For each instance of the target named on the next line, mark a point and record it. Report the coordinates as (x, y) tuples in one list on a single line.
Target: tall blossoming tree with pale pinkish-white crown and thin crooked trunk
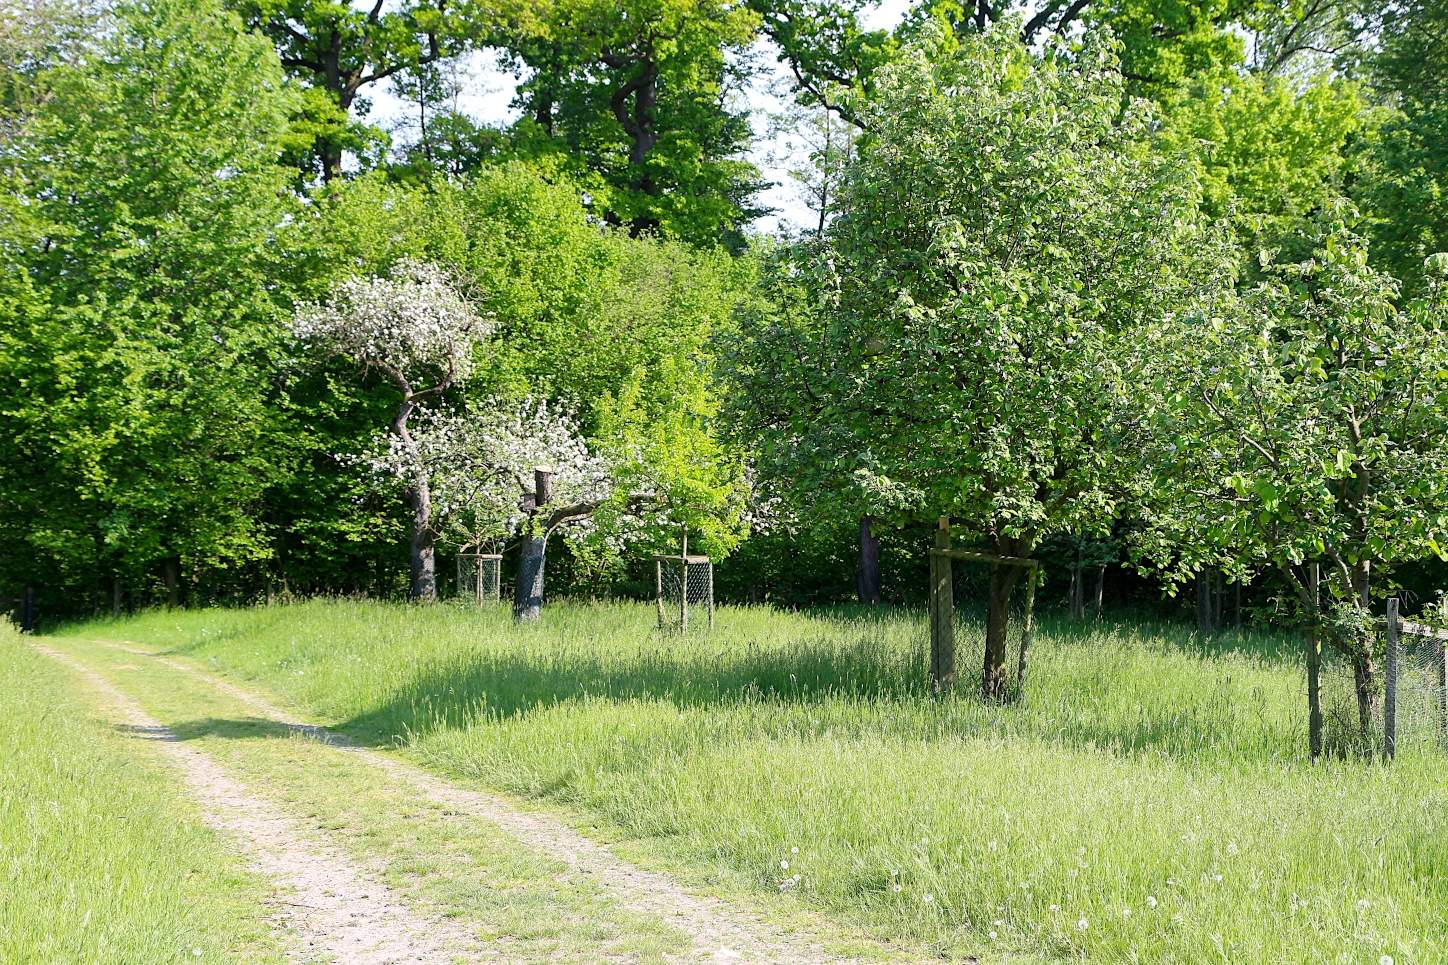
[(416, 330)]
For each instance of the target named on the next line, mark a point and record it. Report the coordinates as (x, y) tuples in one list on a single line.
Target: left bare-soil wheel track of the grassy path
[(341, 912)]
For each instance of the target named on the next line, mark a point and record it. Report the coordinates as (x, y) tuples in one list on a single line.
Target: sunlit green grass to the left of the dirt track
[(102, 860)]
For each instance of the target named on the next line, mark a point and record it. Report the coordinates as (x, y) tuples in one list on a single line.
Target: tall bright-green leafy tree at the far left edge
[(140, 273)]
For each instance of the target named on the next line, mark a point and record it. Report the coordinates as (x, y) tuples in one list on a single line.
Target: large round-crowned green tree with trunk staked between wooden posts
[(1003, 235)]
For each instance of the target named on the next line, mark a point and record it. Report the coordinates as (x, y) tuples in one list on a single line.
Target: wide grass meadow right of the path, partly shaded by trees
[(1149, 788)]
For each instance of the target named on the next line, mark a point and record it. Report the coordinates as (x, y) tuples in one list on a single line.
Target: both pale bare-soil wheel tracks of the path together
[(347, 912)]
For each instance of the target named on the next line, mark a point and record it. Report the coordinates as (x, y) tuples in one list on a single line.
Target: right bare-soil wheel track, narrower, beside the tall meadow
[(717, 931)]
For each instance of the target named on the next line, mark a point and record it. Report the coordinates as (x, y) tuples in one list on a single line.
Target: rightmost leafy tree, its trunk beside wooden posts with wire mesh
[(1305, 422)]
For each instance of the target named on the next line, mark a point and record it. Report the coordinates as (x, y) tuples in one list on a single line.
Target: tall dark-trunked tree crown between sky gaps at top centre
[(641, 95)]
